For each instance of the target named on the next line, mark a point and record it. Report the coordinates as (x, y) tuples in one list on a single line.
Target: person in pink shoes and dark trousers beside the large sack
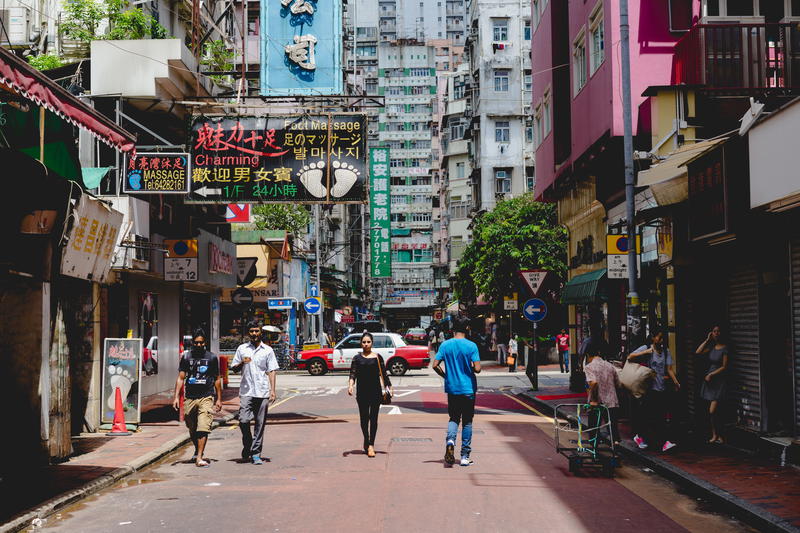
[(650, 411)]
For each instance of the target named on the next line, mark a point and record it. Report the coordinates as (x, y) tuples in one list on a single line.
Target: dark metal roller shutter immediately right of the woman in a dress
[(744, 381)]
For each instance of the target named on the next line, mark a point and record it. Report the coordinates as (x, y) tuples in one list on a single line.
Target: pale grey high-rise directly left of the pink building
[(499, 45)]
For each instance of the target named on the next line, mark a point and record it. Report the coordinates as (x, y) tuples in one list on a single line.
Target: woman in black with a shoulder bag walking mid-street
[(364, 370)]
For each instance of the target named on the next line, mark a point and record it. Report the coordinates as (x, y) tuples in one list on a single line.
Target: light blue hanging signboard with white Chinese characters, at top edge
[(301, 47)]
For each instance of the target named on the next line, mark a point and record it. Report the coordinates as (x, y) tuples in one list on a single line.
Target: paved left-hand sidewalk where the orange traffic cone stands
[(98, 462)]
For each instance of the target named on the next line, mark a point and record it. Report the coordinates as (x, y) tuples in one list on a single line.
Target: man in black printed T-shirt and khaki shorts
[(199, 370)]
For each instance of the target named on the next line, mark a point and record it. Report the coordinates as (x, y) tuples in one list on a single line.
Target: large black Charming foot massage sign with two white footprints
[(299, 159)]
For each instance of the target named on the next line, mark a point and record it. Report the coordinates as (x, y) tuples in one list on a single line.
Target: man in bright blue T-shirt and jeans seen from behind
[(461, 363)]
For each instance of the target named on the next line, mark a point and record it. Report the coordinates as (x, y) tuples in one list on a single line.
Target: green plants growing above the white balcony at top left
[(83, 17)]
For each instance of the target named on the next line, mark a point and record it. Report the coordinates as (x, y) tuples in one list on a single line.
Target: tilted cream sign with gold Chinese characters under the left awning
[(92, 239)]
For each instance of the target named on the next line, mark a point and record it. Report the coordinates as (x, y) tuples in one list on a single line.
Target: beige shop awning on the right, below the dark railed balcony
[(668, 180)]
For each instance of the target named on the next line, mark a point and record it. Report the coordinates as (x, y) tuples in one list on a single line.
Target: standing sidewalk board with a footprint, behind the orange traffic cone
[(121, 365)]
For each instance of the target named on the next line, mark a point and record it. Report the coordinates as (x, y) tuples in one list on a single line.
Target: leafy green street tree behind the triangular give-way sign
[(520, 233)]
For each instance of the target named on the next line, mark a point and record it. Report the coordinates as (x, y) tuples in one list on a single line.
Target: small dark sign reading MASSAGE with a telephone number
[(156, 173)]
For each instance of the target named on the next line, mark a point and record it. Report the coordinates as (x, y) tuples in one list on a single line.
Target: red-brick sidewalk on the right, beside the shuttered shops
[(758, 492)]
